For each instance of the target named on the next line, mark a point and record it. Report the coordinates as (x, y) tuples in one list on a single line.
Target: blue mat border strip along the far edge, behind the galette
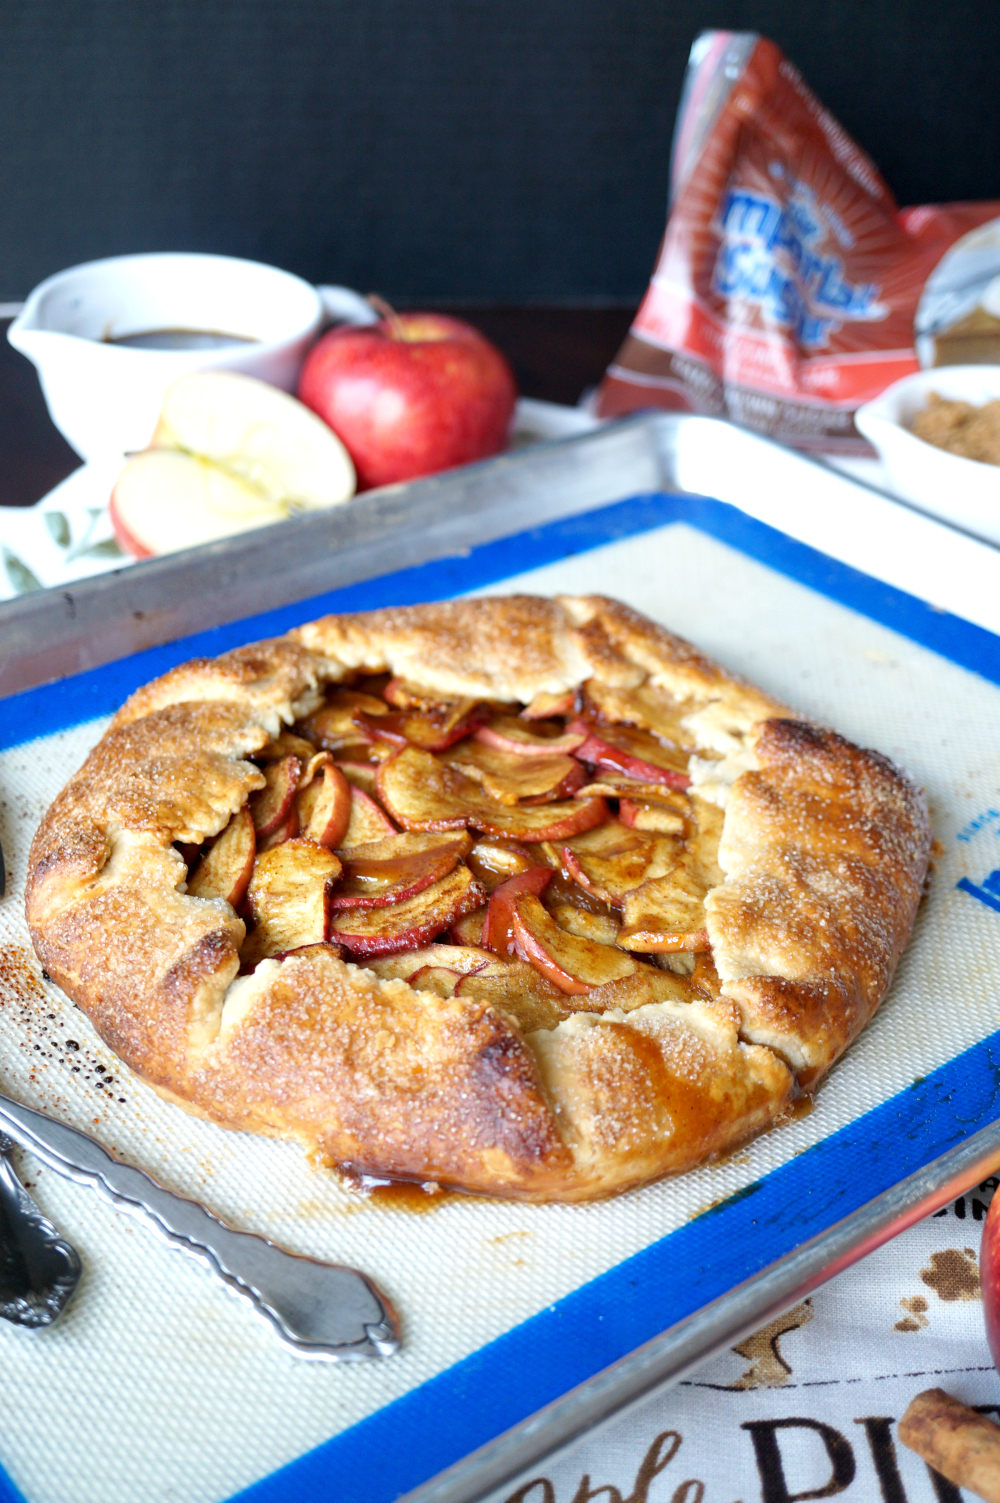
[(98, 692)]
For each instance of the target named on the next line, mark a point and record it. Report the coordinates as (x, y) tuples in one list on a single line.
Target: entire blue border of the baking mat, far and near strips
[(417, 1436)]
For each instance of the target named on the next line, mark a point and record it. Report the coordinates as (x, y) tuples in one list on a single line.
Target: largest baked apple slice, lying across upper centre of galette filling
[(425, 794)]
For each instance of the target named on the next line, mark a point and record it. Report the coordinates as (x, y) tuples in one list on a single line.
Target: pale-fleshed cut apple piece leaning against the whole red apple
[(261, 435)]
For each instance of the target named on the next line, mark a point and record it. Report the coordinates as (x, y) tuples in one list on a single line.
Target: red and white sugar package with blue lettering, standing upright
[(790, 289)]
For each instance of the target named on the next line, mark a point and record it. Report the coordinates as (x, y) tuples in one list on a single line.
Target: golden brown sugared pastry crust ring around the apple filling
[(825, 853)]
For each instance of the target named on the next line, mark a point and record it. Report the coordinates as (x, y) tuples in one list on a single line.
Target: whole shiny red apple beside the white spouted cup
[(410, 396)]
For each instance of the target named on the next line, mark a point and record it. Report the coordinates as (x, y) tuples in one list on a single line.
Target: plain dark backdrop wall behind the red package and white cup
[(438, 151)]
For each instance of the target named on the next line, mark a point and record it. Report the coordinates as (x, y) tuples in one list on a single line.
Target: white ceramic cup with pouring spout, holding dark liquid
[(106, 398)]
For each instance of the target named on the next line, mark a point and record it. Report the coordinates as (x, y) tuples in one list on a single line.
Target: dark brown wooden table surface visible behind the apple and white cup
[(557, 354)]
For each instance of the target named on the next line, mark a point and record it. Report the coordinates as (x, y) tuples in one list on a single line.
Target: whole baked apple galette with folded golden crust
[(521, 897)]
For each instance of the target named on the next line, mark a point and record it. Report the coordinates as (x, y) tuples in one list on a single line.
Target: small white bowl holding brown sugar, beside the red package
[(960, 491)]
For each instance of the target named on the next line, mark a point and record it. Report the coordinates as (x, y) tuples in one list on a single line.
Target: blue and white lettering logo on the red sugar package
[(771, 258)]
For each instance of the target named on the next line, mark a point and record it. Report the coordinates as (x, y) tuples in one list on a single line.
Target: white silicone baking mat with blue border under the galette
[(159, 1385)]
